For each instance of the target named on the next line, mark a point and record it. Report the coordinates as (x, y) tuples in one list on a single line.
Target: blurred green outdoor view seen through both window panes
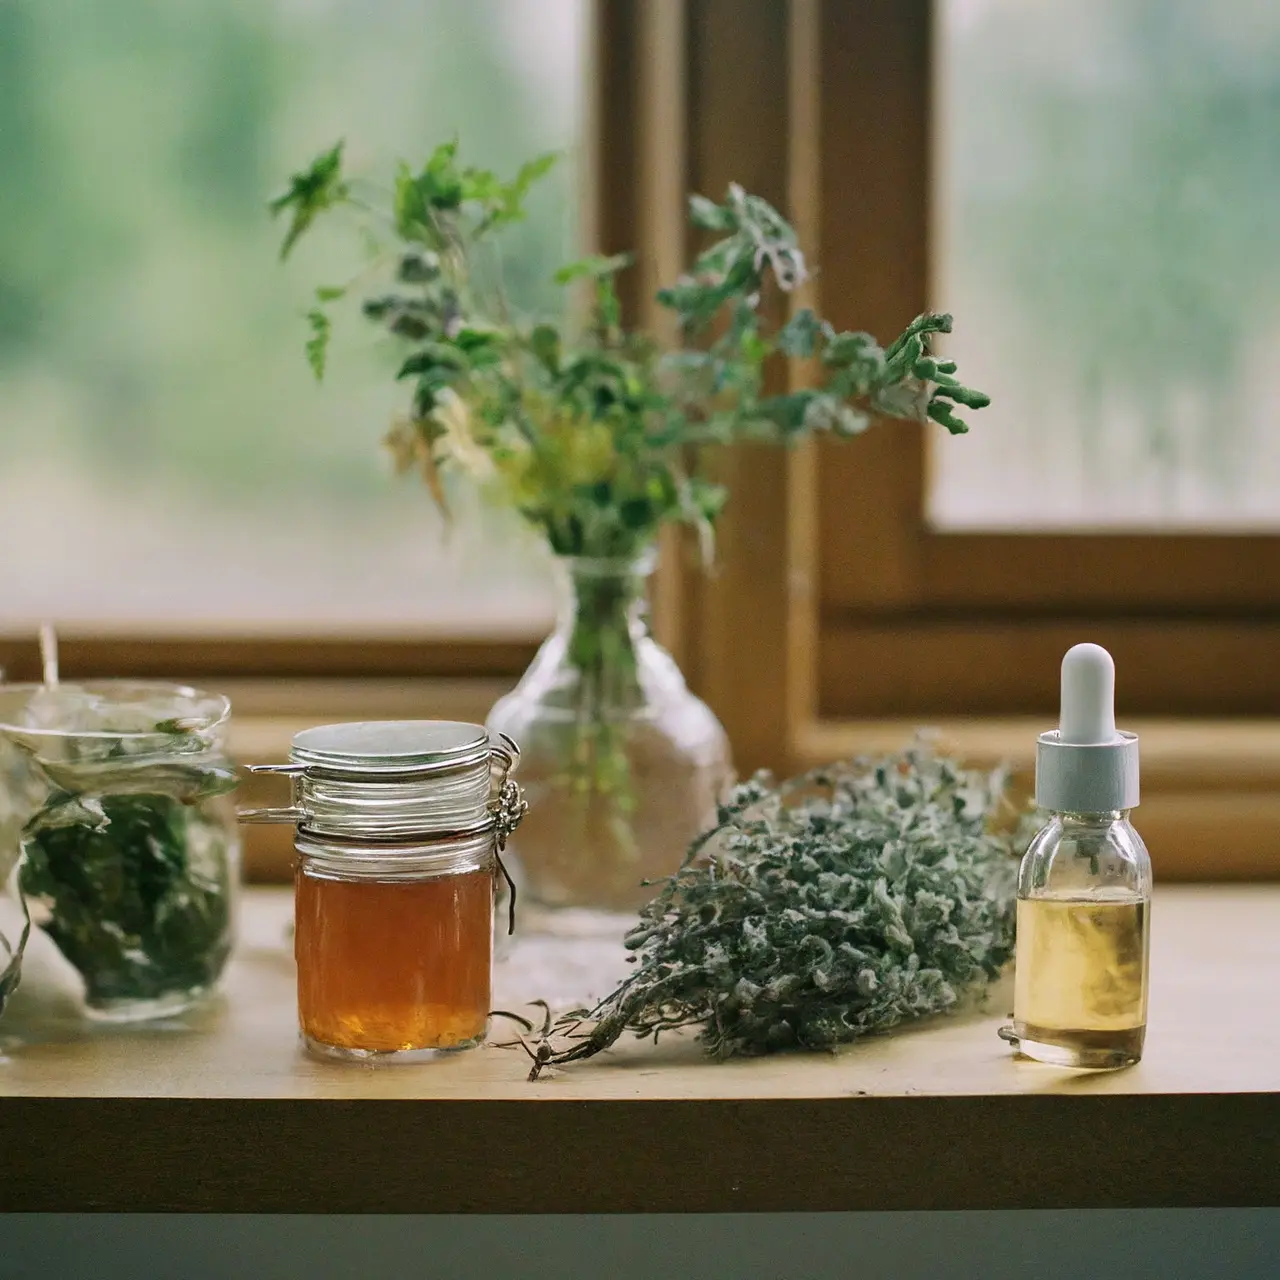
[(1109, 189)]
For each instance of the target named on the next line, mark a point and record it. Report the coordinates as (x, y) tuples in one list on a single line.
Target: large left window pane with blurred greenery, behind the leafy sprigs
[(166, 459)]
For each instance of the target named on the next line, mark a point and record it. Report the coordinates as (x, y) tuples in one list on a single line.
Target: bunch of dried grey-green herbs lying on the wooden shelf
[(839, 904)]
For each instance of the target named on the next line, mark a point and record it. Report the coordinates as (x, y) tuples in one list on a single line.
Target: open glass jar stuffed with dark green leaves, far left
[(117, 804)]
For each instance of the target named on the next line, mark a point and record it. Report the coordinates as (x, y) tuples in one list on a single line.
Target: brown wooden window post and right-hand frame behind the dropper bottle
[(836, 619)]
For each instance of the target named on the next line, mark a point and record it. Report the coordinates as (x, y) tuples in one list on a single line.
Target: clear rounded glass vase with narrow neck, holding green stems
[(621, 764)]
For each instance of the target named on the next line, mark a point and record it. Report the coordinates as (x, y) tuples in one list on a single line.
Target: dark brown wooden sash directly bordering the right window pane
[(975, 623)]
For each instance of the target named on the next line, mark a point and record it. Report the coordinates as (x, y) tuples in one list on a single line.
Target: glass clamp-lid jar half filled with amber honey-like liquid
[(400, 833)]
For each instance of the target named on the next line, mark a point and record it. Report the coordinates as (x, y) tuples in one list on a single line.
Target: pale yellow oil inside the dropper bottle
[(1081, 986)]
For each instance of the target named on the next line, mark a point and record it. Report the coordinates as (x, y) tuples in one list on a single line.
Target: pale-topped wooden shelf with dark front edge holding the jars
[(221, 1112)]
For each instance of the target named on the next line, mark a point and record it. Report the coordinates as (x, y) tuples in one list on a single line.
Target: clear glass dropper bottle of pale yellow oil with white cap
[(1085, 886)]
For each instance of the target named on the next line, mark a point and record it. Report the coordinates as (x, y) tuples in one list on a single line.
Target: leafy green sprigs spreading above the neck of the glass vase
[(591, 431)]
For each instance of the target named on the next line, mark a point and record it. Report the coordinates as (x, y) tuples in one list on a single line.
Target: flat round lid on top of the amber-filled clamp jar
[(392, 747)]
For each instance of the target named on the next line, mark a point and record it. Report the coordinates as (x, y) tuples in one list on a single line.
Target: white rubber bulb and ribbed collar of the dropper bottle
[(1087, 765)]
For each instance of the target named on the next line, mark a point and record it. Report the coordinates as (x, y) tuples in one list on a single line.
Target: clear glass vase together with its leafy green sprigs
[(598, 438)]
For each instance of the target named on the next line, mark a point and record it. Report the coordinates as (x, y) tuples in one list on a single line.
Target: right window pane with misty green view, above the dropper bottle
[(1108, 217)]
